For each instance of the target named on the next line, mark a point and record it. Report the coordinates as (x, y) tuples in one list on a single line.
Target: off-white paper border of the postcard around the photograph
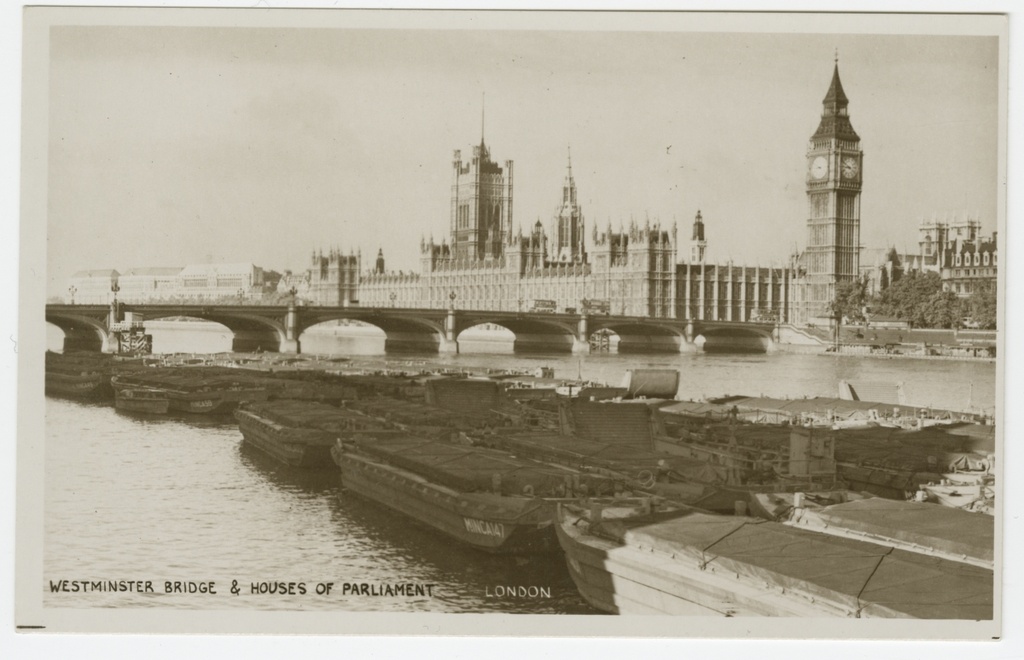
[(30, 339)]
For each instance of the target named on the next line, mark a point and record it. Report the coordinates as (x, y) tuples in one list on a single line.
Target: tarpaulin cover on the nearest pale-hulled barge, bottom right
[(856, 577)]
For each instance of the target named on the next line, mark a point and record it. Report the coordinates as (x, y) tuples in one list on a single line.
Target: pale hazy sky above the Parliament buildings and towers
[(177, 146)]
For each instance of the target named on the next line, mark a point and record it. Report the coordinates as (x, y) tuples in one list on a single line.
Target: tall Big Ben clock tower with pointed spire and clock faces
[(835, 168)]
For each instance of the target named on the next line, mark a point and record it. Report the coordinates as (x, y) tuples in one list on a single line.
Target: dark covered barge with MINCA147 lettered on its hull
[(485, 499)]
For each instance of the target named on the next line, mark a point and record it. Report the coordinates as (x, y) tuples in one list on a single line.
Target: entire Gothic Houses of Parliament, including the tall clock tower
[(639, 271)]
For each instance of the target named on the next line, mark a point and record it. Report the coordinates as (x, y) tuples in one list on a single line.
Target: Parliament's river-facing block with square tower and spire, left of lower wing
[(484, 266)]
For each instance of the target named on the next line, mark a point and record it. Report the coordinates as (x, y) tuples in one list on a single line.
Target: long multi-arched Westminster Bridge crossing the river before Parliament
[(279, 328)]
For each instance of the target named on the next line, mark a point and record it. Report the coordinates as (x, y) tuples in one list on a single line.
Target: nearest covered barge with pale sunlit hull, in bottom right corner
[(636, 558)]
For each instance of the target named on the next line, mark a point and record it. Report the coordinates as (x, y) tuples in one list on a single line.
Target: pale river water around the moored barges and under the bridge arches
[(181, 500)]
